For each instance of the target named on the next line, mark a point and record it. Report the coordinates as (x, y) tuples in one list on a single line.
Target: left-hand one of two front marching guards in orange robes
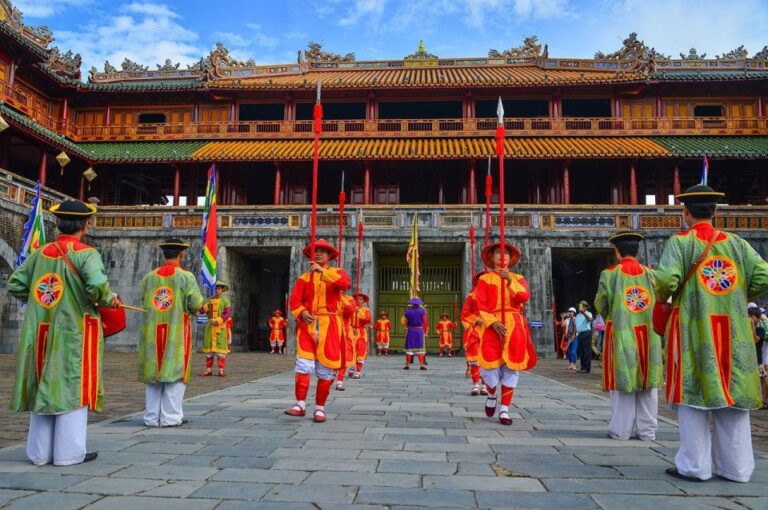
[(315, 302)]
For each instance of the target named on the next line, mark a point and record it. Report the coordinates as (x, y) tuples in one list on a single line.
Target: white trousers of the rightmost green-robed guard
[(728, 446)]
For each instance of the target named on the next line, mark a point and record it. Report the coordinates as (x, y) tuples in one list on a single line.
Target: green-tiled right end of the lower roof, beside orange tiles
[(743, 147)]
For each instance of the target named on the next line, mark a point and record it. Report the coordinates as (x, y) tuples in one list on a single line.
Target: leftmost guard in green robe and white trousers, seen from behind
[(58, 364)]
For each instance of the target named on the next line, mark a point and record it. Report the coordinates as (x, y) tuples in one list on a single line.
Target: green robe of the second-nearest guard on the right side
[(631, 350)]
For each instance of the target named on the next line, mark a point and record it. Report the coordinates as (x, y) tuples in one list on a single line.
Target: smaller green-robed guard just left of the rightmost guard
[(631, 354)]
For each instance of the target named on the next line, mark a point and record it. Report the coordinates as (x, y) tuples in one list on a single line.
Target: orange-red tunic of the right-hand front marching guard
[(516, 350)]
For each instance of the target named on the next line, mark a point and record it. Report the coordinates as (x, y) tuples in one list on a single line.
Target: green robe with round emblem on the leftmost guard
[(58, 365)]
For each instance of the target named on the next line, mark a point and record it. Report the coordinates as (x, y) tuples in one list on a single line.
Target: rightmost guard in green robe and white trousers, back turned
[(711, 359)]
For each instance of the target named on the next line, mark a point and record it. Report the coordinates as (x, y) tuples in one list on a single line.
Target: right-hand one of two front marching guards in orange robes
[(505, 344)]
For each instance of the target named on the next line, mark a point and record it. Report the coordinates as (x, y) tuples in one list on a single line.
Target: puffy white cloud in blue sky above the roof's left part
[(144, 32)]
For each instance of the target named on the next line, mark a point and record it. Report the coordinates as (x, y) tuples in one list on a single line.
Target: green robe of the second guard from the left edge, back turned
[(169, 294)]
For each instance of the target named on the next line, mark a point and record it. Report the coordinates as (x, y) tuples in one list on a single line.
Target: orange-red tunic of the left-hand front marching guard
[(320, 294)]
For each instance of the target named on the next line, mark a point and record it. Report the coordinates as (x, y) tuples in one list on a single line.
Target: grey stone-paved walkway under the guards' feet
[(394, 440)]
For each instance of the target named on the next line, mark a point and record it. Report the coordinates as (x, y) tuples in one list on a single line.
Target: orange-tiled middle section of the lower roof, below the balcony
[(430, 148)]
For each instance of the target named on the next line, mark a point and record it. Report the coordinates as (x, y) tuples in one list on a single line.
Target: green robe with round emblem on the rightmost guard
[(711, 360)]
